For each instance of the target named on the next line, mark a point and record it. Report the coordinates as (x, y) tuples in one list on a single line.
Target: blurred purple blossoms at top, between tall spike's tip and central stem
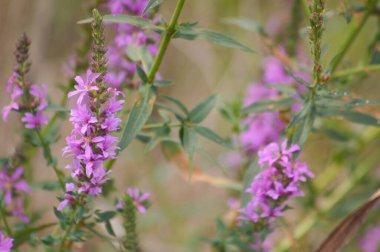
[(121, 68)]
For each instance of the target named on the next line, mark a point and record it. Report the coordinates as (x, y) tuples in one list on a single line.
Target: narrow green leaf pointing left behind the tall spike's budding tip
[(125, 19)]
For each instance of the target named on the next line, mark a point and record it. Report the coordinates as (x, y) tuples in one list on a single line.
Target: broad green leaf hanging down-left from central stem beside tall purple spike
[(139, 115)]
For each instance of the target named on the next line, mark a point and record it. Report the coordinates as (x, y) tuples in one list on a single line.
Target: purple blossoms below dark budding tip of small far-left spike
[(27, 98)]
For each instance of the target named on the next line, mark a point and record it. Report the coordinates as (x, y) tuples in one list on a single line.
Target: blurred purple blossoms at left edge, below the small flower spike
[(12, 185)]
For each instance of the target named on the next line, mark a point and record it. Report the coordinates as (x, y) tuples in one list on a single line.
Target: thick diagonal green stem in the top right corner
[(371, 4)]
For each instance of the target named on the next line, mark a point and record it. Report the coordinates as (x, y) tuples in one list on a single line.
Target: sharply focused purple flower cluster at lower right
[(279, 181)]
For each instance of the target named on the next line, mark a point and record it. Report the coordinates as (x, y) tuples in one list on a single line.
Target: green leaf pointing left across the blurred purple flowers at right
[(268, 105)]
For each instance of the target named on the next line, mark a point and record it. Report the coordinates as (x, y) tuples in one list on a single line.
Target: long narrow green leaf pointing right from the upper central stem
[(210, 36)]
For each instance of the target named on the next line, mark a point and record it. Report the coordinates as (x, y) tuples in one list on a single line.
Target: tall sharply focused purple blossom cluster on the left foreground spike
[(91, 142)]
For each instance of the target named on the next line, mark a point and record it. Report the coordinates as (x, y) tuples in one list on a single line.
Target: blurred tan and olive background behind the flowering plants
[(183, 213)]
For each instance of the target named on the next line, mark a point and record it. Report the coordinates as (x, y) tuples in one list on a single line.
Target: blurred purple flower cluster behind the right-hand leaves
[(264, 128)]
